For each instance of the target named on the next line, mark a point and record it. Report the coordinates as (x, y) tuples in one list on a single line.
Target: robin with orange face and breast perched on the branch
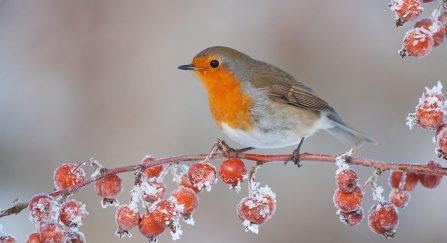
[(260, 106)]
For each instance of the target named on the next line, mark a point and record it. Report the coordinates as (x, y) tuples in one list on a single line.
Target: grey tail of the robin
[(347, 134)]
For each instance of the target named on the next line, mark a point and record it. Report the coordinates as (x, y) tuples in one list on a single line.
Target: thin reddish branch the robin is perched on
[(255, 157)]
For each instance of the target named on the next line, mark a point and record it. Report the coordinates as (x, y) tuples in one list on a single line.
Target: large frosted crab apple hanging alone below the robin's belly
[(253, 210)]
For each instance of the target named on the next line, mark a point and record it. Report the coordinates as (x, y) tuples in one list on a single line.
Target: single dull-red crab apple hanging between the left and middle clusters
[(109, 187)]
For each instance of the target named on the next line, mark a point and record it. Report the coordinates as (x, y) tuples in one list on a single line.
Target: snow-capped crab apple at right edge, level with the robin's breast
[(431, 110)]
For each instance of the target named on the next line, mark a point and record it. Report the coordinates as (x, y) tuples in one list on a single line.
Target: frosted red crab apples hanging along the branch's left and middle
[(57, 219)]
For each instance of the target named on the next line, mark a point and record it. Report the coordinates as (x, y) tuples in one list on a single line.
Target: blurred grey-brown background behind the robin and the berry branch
[(81, 79)]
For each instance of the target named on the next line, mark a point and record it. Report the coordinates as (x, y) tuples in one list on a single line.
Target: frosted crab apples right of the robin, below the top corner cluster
[(382, 216)]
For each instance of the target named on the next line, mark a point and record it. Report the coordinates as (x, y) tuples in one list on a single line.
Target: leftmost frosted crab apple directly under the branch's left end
[(42, 209)]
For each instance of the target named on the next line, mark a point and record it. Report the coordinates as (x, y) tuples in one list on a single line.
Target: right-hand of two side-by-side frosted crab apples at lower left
[(72, 213)]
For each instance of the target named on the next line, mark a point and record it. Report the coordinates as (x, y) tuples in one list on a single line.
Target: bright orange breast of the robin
[(227, 102)]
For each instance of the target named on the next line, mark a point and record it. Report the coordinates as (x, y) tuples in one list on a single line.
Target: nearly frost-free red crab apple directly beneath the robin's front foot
[(232, 171)]
